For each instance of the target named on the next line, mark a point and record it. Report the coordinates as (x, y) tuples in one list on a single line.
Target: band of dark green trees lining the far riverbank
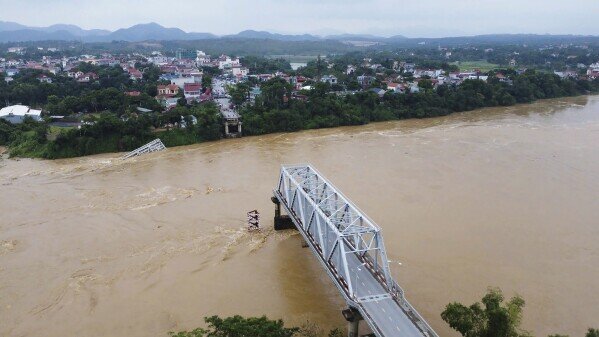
[(114, 125)]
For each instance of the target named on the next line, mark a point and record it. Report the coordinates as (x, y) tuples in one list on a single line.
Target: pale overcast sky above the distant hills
[(412, 18)]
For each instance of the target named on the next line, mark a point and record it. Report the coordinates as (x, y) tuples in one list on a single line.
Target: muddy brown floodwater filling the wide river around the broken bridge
[(505, 197)]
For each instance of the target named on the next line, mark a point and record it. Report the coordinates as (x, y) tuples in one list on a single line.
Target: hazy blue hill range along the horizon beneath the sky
[(15, 32)]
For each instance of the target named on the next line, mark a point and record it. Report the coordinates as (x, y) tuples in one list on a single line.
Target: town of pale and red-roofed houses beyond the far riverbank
[(181, 77)]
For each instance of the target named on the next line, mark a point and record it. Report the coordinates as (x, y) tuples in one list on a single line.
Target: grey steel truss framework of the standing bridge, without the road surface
[(335, 228)]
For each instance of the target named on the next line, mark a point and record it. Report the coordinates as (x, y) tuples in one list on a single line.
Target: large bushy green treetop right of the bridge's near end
[(491, 319)]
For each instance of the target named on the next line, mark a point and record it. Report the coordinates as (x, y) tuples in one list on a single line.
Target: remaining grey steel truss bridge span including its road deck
[(351, 249)]
